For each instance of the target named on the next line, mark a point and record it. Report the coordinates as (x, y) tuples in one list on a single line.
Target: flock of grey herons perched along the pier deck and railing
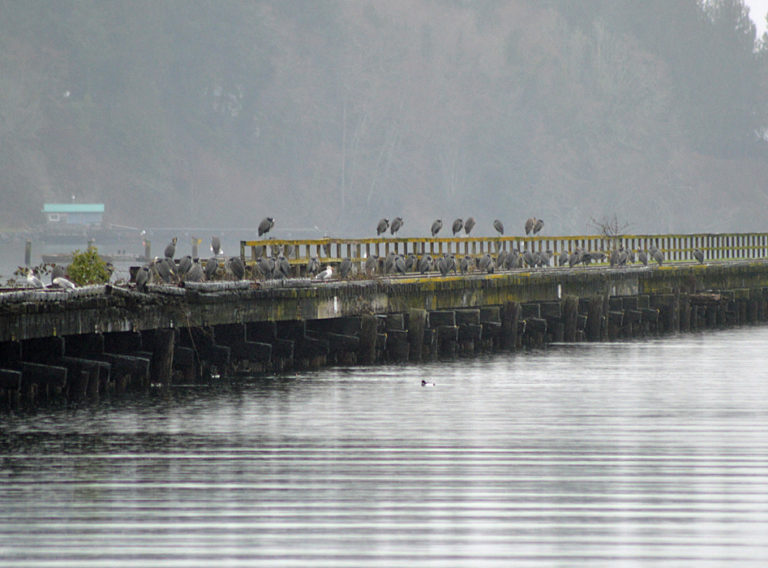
[(272, 261)]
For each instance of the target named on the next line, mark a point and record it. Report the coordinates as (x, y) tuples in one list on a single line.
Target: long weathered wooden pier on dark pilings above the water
[(103, 340)]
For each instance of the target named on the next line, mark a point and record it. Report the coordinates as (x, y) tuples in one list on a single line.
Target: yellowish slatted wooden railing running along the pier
[(676, 247)]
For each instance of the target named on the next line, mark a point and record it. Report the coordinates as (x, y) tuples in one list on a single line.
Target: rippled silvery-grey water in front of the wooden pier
[(629, 454)]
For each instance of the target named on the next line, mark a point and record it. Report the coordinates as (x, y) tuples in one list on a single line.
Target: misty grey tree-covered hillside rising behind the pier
[(329, 115)]
